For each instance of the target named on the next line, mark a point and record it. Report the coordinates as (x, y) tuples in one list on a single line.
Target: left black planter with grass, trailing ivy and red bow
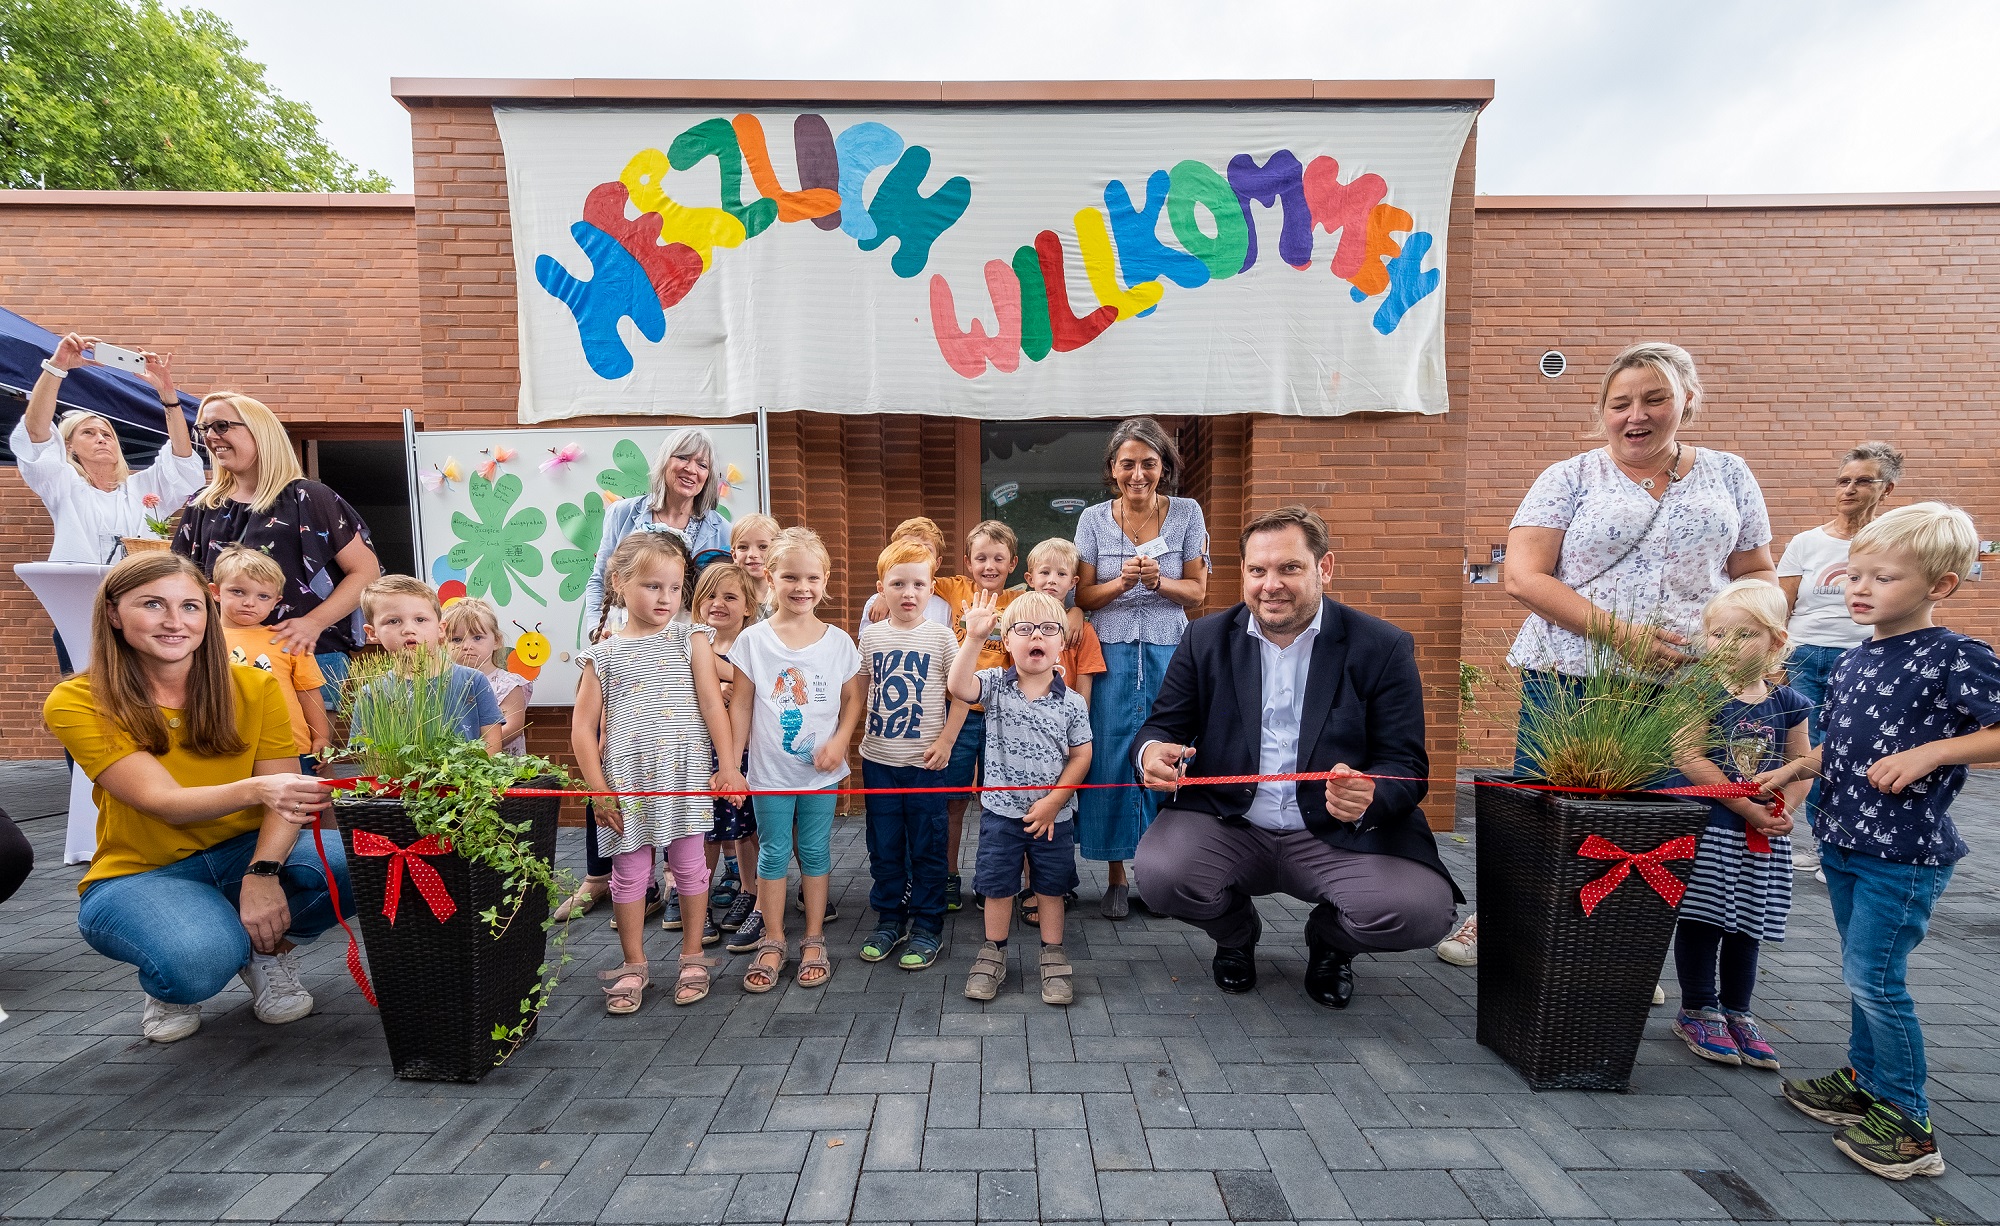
[(453, 873)]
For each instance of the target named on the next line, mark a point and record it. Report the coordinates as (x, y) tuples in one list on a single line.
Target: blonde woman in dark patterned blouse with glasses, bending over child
[(261, 499)]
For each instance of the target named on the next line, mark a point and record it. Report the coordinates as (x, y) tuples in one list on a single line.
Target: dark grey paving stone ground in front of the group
[(889, 1097)]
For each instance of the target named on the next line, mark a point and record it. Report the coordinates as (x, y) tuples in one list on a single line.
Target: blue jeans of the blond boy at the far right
[(1883, 913)]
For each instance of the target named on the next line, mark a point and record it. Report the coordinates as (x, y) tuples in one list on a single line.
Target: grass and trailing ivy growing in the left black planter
[(399, 707)]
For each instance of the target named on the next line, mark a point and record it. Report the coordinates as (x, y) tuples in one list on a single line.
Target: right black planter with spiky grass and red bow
[(1579, 887)]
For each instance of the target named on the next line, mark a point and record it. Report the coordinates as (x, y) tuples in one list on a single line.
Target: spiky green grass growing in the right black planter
[(1623, 727)]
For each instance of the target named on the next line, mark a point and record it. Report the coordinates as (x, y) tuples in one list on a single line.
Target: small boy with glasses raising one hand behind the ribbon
[(1039, 737)]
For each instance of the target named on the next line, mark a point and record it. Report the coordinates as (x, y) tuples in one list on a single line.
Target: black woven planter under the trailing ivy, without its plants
[(445, 985)]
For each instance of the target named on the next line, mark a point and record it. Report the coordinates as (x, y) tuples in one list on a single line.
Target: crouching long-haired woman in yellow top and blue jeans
[(197, 877)]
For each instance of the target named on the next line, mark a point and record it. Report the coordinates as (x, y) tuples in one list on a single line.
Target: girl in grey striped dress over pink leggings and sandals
[(649, 719)]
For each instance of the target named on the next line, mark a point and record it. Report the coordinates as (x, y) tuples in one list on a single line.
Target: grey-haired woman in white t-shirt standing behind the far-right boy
[(1821, 627)]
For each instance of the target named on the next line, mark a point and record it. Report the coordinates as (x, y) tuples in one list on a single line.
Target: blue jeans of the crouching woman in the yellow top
[(181, 927)]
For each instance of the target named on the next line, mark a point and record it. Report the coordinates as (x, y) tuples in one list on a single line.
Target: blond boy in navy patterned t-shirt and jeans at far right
[(1905, 715)]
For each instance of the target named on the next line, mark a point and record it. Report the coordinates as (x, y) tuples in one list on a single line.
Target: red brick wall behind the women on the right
[(1815, 329)]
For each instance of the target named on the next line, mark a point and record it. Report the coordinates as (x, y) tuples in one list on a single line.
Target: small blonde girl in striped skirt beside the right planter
[(1741, 891)]
